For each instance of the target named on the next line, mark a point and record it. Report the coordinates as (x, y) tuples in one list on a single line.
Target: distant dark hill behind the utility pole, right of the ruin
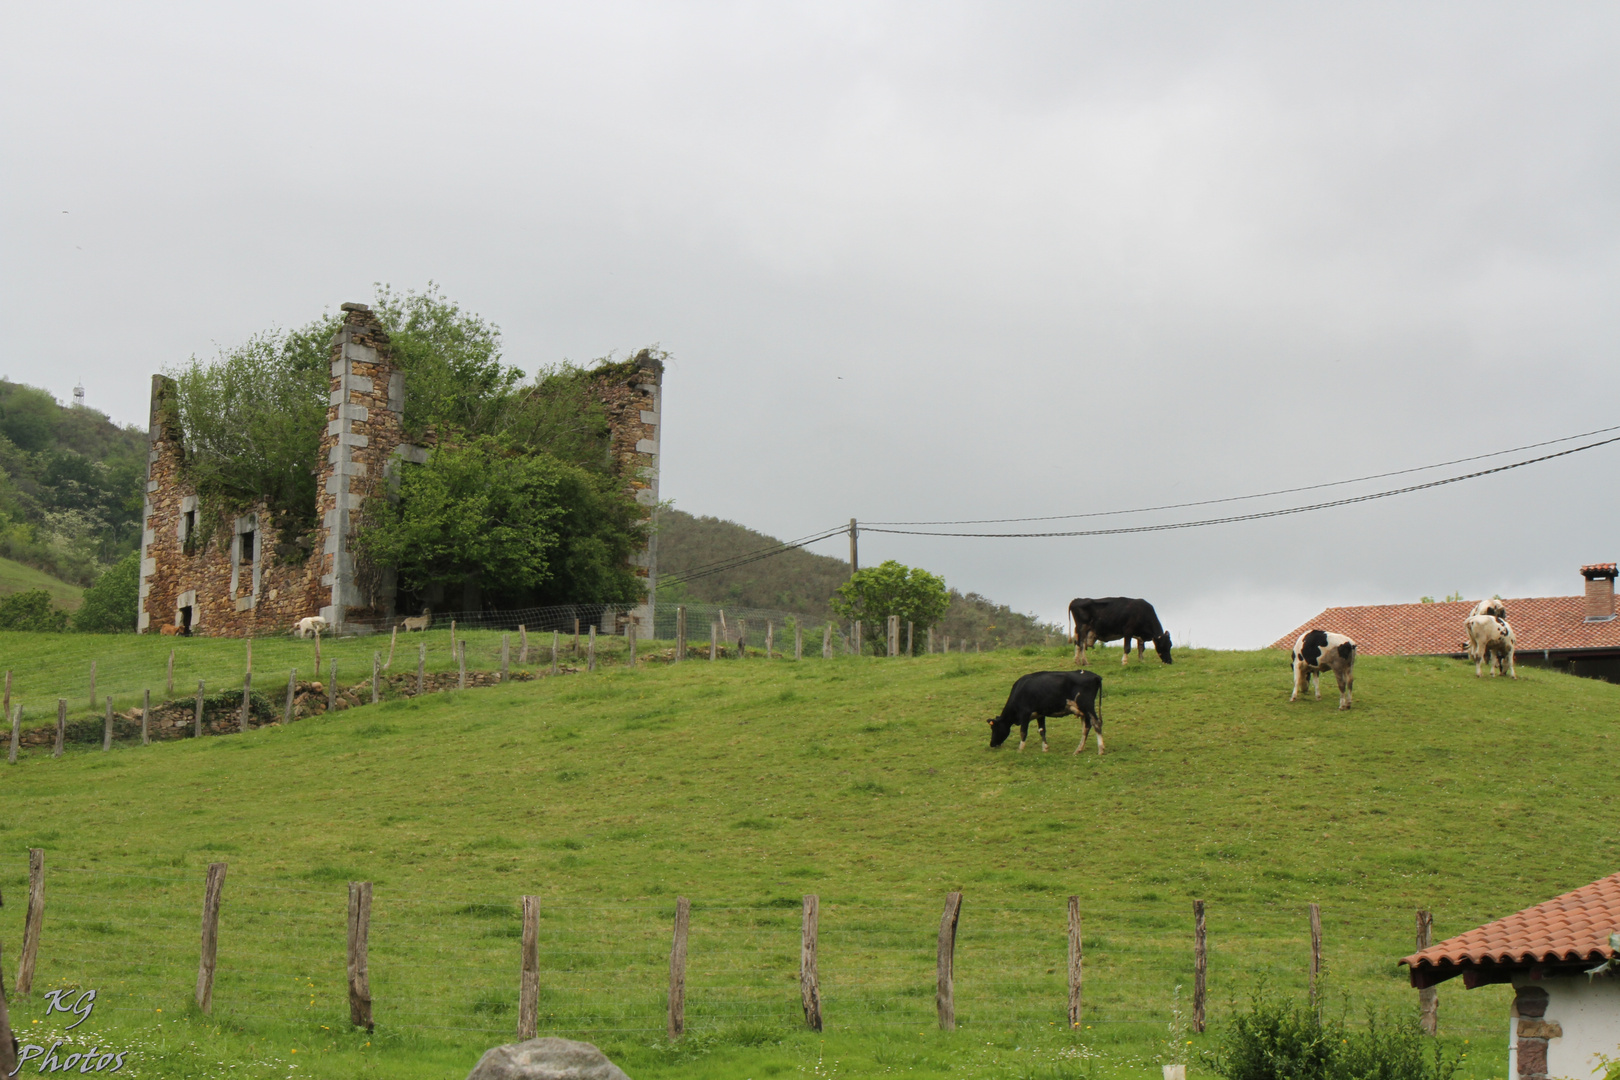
[(801, 582)]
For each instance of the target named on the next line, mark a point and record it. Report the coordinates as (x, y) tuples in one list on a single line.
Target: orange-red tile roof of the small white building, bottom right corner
[(1574, 927)]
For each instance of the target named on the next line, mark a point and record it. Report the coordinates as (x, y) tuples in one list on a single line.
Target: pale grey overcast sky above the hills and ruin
[(913, 261)]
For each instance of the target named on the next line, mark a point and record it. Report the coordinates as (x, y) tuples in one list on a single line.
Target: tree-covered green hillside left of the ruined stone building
[(70, 485)]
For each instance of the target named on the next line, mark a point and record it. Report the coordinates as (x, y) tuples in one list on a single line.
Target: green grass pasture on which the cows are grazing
[(746, 784)]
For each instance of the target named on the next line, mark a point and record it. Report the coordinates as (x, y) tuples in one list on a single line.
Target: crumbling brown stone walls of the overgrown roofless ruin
[(242, 584)]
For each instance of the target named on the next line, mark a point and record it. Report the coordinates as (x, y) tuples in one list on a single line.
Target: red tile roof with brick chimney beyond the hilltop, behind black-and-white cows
[(1543, 623)]
